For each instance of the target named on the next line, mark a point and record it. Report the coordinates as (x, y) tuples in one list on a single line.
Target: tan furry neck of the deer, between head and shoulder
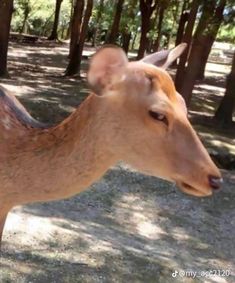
[(64, 160)]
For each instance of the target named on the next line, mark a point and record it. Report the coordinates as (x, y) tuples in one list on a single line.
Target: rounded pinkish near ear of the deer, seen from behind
[(107, 66)]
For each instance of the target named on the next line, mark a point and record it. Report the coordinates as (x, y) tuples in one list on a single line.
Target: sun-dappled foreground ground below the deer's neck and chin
[(126, 228)]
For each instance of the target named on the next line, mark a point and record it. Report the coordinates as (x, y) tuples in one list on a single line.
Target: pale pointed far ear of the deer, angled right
[(165, 58)]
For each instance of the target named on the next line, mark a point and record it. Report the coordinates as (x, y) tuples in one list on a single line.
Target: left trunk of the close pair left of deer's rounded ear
[(76, 25)]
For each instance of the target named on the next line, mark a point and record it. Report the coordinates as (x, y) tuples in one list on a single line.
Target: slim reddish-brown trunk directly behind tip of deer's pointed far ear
[(179, 78)]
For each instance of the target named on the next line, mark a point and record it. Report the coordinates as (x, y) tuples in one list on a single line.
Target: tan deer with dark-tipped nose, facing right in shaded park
[(133, 114)]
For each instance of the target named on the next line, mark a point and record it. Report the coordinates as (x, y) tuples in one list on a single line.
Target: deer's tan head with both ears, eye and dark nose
[(149, 119)]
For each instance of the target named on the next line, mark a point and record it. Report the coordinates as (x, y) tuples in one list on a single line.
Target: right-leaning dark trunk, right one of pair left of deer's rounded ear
[(76, 55)]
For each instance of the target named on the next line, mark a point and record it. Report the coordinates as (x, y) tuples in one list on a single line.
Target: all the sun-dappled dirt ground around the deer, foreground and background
[(127, 227)]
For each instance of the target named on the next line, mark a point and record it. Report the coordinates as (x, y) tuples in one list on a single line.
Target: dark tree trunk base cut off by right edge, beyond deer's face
[(224, 113)]
